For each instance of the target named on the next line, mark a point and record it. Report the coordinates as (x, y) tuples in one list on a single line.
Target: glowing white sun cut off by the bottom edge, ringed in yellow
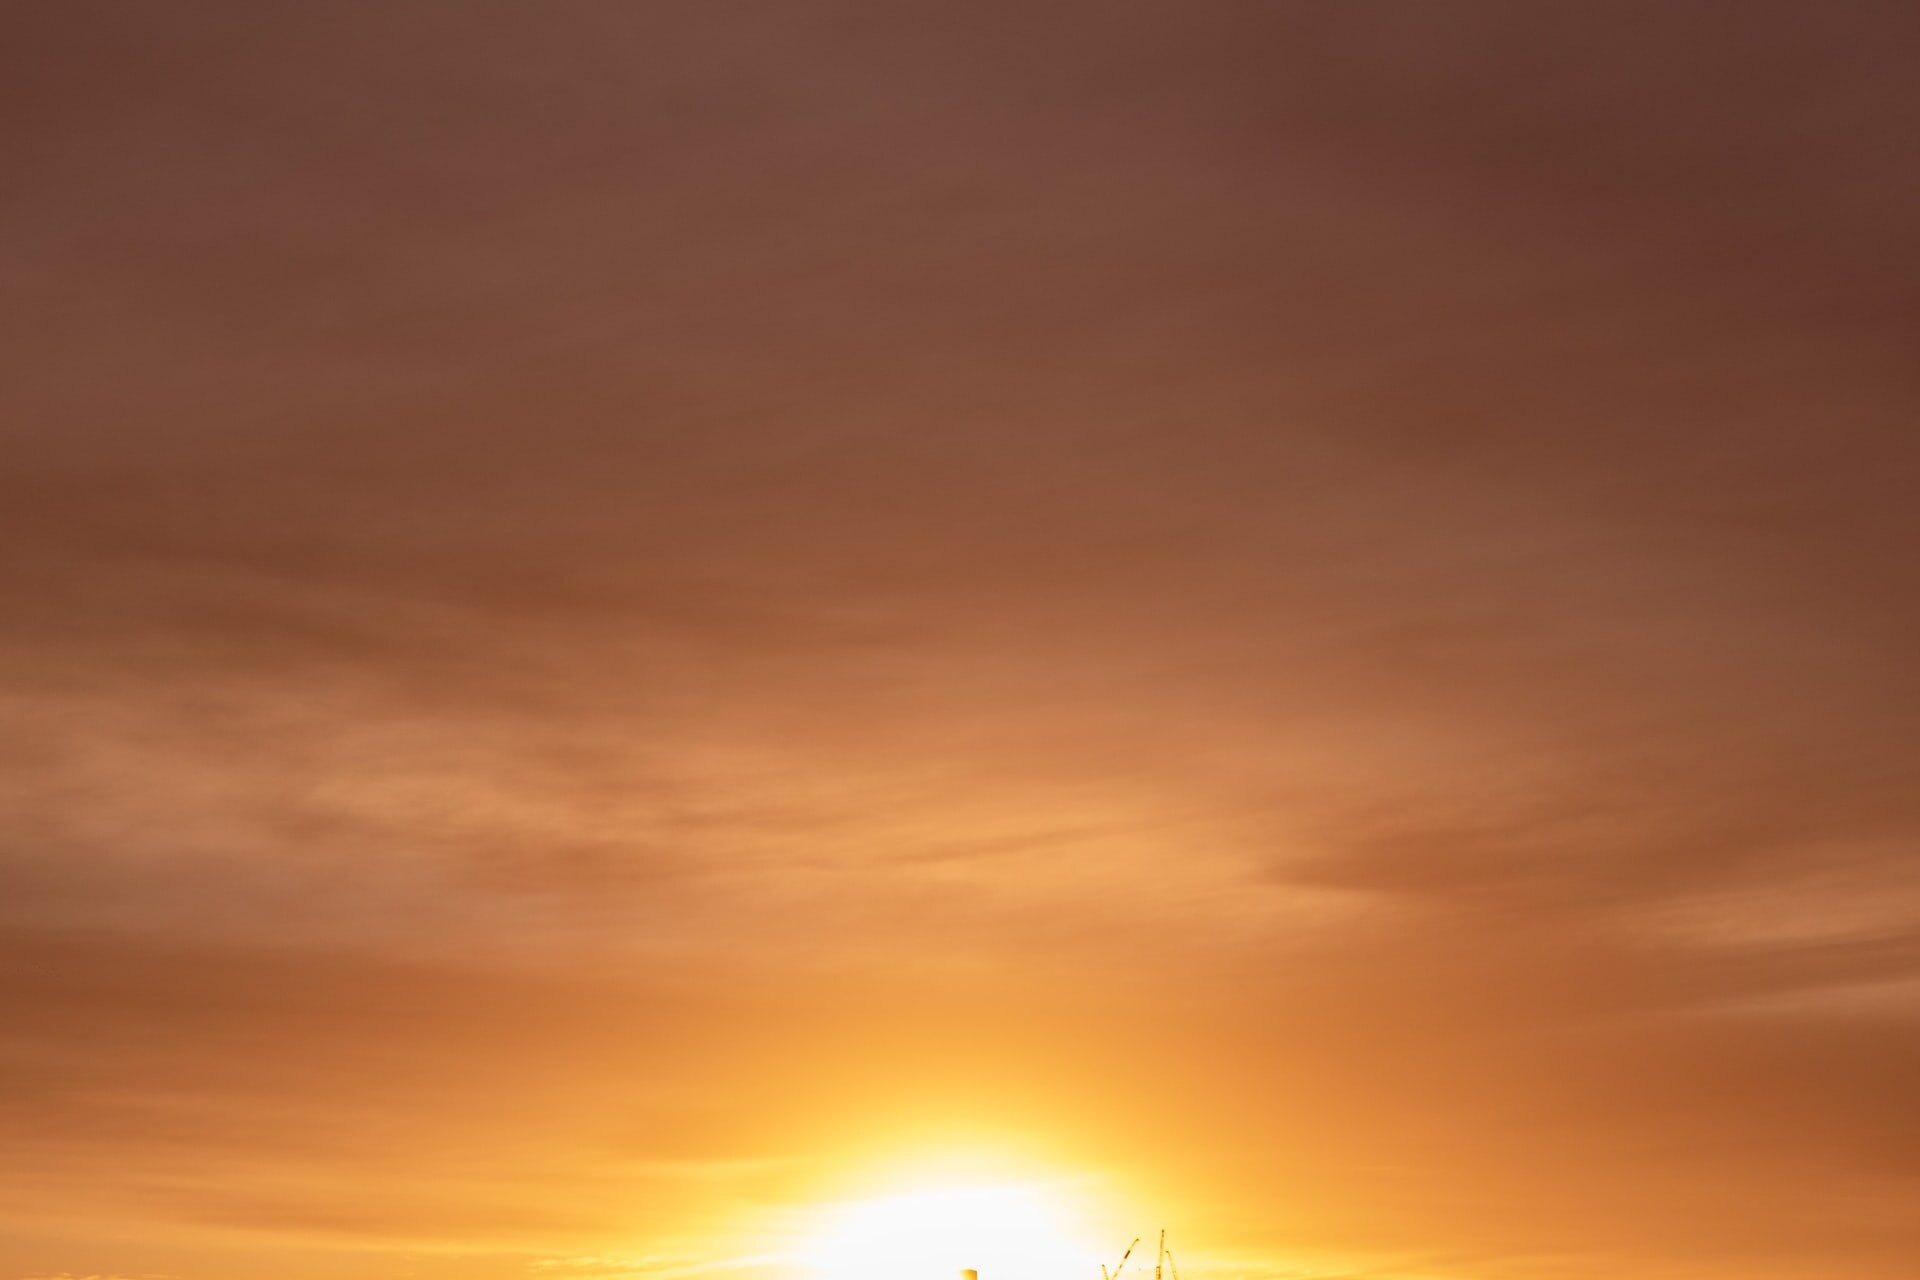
[(1007, 1233)]
